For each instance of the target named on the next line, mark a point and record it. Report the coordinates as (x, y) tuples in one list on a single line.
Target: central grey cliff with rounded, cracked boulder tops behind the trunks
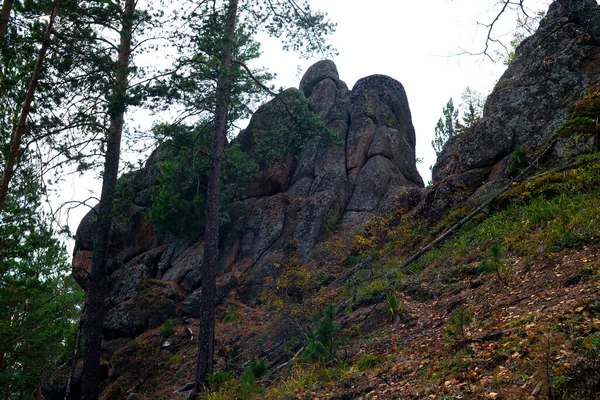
[(154, 277)]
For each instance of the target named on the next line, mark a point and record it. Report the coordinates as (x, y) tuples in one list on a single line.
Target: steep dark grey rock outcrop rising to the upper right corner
[(552, 69)]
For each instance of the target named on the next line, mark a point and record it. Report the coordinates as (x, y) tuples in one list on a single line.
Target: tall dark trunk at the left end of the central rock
[(96, 294)]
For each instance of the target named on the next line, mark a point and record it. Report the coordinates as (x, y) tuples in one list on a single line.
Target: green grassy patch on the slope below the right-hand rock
[(548, 213)]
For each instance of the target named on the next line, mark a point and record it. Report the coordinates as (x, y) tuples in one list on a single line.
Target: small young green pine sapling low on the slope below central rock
[(324, 341)]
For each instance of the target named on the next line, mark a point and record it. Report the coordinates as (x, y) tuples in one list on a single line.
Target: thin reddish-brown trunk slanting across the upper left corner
[(17, 137)]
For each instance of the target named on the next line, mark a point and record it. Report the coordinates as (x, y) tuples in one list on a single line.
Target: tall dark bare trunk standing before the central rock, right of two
[(206, 331)]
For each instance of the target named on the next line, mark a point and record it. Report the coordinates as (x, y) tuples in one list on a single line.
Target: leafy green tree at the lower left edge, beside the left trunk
[(39, 301)]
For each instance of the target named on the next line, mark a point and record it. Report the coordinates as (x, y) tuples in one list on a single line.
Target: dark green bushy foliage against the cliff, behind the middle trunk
[(178, 199)]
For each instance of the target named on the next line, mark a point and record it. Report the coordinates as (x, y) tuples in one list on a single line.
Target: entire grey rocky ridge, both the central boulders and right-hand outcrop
[(154, 277)]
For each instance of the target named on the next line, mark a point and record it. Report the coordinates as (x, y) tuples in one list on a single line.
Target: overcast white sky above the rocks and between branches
[(415, 42)]
